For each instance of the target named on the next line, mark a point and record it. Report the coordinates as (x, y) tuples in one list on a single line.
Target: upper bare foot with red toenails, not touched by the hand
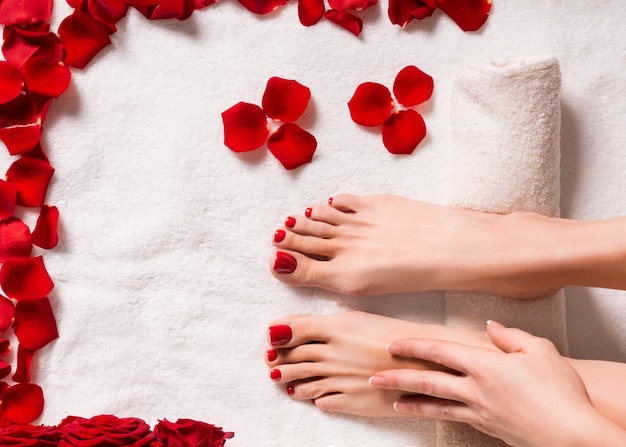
[(387, 244)]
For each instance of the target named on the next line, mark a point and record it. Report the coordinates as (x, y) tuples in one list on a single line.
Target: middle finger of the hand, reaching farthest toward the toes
[(439, 384)]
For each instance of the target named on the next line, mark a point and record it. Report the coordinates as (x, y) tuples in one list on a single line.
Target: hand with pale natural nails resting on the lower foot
[(528, 395)]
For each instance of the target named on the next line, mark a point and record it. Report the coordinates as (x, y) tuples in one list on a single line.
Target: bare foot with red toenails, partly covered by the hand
[(329, 359)]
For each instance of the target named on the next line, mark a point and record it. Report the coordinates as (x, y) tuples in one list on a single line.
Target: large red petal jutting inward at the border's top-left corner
[(82, 38)]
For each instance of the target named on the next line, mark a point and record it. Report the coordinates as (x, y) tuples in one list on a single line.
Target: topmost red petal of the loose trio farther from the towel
[(285, 99)]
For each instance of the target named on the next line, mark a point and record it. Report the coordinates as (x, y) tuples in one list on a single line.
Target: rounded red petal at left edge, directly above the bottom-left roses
[(22, 403)]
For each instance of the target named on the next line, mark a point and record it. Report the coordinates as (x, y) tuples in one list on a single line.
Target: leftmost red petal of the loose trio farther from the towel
[(245, 127)]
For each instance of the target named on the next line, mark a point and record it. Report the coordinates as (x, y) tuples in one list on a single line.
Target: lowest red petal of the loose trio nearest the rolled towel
[(403, 131)]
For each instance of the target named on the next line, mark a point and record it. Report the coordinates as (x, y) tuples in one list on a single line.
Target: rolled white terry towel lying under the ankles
[(505, 124)]
